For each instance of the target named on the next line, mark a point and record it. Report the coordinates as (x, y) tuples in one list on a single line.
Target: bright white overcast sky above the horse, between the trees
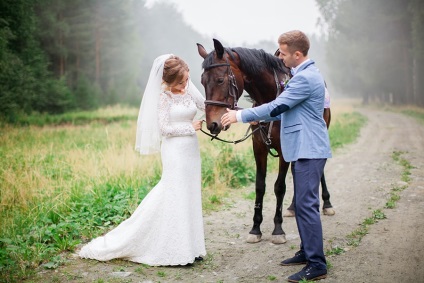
[(241, 22)]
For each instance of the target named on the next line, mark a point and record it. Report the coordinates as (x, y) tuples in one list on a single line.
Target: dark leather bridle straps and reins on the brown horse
[(234, 93)]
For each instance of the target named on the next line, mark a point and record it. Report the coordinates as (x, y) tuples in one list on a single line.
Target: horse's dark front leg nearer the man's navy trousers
[(278, 235)]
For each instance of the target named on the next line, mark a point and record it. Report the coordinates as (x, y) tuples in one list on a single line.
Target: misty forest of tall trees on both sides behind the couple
[(58, 55)]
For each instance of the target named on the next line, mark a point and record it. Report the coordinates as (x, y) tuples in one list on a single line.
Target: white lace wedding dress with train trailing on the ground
[(167, 226)]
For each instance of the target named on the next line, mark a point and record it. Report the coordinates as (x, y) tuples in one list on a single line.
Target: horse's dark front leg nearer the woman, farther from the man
[(255, 235)]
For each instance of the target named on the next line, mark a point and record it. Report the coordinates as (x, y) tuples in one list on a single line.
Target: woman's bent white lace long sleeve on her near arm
[(167, 128)]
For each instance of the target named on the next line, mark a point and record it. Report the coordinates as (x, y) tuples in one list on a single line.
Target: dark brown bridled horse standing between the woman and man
[(227, 72)]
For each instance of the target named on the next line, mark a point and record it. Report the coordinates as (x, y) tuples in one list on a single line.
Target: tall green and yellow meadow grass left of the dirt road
[(69, 178)]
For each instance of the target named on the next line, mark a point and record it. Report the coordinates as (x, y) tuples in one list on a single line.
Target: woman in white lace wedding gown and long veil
[(167, 226)]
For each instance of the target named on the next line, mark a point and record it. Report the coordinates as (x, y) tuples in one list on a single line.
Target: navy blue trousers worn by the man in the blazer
[(306, 177)]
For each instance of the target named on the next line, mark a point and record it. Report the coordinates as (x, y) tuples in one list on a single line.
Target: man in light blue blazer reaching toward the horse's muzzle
[(304, 142)]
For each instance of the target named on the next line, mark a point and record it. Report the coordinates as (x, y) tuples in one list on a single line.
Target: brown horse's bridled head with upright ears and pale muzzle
[(223, 83)]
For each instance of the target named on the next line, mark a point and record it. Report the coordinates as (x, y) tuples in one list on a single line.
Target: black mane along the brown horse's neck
[(253, 61)]
